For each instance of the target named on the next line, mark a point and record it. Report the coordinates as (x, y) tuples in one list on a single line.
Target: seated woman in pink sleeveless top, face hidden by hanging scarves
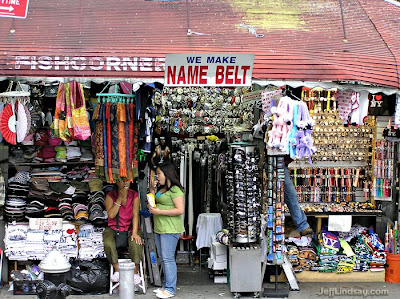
[(123, 204)]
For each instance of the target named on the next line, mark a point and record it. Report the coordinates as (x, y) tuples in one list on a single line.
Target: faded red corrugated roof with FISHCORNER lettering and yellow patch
[(303, 39)]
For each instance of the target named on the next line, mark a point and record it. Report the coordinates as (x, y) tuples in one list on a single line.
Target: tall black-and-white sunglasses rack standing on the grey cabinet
[(243, 194)]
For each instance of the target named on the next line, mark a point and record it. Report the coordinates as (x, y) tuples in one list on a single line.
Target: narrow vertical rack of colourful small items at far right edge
[(383, 170)]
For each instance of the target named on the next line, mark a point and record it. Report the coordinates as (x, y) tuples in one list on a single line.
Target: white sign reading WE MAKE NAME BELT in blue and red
[(208, 69)]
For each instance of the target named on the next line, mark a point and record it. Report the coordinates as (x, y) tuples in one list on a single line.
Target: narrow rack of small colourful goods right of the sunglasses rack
[(274, 209)]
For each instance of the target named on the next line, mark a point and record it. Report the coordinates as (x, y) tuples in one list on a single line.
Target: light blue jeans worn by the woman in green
[(166, 247)]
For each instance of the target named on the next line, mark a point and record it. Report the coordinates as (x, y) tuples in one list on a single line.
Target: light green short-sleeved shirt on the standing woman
[(168, 224)]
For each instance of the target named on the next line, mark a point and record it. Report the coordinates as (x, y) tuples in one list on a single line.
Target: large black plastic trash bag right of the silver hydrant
[(89, 276)]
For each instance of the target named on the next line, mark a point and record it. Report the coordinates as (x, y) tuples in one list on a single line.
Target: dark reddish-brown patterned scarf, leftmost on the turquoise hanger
[(99, 142)]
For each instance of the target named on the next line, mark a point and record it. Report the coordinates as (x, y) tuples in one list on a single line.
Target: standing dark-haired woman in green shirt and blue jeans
[(168, 223)]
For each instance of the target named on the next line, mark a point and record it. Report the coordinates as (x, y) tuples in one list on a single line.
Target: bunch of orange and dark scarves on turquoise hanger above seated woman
[(116, 142)]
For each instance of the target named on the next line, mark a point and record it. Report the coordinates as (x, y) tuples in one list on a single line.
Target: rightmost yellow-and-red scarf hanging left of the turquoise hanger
[(80, 119)]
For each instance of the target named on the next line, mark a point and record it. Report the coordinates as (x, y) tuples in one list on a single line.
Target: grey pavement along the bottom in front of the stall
[(193, 284)]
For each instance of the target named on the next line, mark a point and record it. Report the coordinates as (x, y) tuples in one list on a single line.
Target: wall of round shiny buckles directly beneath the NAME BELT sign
[(192, 110)]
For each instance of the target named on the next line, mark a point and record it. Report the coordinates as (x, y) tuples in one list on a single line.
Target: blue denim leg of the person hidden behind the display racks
[(292, 201)]
